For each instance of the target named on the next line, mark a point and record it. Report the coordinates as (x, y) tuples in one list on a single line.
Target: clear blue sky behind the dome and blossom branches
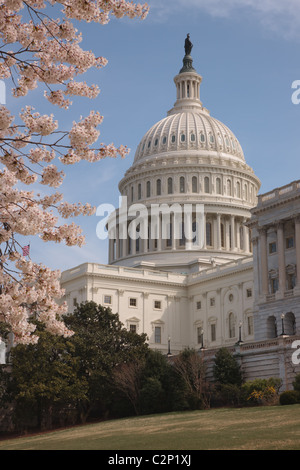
[(248, 55)]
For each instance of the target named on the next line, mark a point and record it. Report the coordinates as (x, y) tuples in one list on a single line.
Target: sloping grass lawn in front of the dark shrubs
[(259, 428)]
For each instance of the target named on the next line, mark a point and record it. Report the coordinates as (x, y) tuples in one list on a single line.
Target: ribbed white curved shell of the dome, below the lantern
[(189, 130)]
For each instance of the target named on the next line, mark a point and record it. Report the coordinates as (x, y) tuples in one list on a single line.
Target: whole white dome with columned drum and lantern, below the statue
[(188, 159)]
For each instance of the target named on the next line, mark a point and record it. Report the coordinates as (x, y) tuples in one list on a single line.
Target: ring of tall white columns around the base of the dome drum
[(211, 232)]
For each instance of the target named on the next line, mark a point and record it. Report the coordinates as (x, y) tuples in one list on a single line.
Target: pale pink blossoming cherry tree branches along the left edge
[(37, 50)]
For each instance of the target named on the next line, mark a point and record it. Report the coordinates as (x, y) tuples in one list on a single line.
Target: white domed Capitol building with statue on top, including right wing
[(197, 257)]
